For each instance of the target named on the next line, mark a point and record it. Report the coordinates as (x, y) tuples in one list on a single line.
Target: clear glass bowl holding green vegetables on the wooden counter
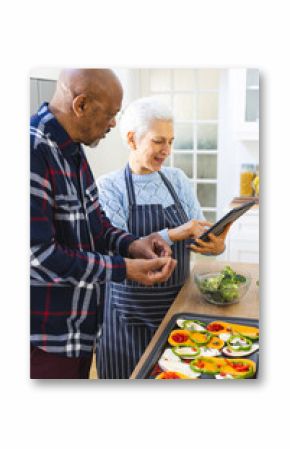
[(225, 294)]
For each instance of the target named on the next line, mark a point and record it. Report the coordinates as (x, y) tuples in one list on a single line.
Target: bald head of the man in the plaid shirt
[(86, 102)]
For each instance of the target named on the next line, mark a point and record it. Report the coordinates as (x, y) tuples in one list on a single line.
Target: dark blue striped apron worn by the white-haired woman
[(133, 312)]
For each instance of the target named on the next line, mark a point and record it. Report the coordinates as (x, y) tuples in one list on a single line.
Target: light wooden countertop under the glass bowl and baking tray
[(190, 300)]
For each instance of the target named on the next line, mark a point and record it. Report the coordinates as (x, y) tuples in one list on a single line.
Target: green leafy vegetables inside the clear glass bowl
[(223, 287)]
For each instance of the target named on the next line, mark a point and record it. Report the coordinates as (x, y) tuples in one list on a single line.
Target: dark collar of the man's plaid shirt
[(57, 133)]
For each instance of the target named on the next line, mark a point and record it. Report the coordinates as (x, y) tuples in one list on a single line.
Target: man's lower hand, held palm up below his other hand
[(149, 272)]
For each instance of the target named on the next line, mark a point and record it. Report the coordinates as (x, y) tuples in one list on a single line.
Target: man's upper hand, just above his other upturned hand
[(149, 247)]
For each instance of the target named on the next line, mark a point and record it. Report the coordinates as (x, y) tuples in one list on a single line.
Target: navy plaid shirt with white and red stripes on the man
[(71, 238)]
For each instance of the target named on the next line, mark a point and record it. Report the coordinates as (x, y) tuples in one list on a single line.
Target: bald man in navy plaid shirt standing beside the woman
[(75, 249)]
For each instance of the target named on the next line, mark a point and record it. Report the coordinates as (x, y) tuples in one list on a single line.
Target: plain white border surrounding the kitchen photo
[(141, 413)]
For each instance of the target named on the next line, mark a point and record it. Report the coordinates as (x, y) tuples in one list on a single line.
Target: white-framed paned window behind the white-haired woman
[(193, 95)]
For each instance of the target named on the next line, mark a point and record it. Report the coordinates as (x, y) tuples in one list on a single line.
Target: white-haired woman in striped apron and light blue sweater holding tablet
[(142, 198)]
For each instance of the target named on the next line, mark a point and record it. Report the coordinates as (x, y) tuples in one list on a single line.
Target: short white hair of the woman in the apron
[(139, 115)]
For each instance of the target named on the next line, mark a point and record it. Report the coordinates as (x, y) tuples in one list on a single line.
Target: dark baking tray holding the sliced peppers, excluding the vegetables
[(151, 362)]
